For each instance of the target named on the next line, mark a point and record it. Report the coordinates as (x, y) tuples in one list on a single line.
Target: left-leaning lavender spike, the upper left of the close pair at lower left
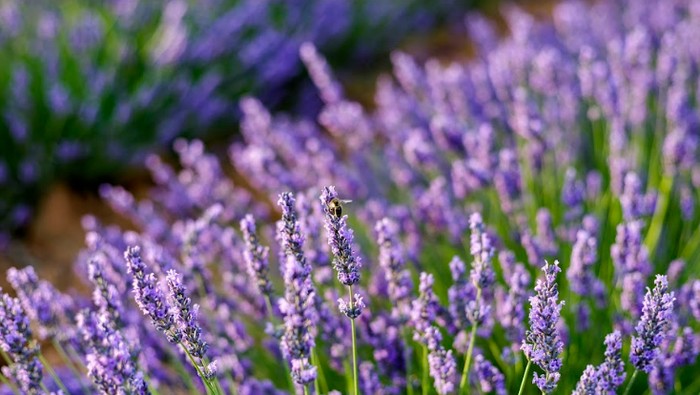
[(149, 296)]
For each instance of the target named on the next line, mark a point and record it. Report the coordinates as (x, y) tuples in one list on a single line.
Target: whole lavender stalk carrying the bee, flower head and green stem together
[(346, 263)]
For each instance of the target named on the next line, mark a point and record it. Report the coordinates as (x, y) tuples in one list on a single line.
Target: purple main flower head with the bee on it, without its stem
[(340, 238)]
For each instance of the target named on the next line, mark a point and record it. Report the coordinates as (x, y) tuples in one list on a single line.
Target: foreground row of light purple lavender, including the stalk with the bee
[(522, 222)]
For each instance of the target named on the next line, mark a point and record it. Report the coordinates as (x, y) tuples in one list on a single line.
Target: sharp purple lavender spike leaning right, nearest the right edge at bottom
[(657, 313)]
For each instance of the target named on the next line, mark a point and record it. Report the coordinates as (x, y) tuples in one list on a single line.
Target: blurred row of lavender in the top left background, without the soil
[(87, 87)]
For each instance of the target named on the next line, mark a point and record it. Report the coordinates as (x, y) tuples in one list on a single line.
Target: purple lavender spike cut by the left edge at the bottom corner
[(16, 341)]
